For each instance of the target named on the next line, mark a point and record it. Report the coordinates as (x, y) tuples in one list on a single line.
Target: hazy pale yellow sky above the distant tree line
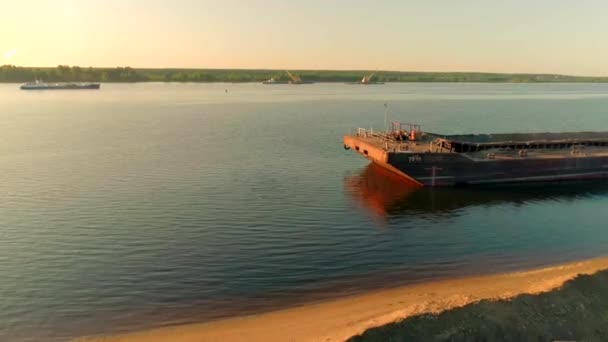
[(542, 36)]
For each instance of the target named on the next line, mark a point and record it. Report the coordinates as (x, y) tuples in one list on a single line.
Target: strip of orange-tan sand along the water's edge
[(337, 320)]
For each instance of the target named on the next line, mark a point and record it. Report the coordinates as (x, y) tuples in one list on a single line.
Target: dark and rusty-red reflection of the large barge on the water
[(384, 193)]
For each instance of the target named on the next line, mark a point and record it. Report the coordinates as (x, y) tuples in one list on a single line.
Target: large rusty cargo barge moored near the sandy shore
[(430, 159)]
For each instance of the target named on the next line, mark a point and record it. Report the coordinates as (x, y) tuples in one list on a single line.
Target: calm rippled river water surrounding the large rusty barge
[(145, 205)]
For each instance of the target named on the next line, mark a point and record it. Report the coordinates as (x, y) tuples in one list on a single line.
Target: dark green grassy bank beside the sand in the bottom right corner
[(576, 312)]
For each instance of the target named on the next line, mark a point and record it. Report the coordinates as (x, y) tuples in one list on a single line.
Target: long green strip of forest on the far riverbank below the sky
[(64, 73)]
